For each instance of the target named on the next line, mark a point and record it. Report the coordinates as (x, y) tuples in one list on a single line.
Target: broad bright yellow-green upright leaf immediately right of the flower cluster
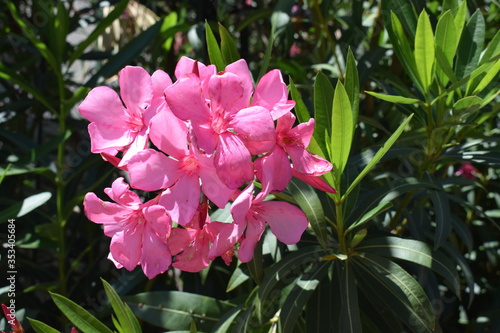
[(341, 131)]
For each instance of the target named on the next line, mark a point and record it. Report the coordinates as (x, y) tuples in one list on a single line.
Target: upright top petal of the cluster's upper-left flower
[(136, 89)]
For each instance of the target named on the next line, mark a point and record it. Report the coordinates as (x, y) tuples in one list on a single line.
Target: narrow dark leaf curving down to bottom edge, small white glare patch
[(299, 295)]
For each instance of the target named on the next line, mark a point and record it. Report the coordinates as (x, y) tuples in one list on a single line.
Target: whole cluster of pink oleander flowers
[(196, 144)]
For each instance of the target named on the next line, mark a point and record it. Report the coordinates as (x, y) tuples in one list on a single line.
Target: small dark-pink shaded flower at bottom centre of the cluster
[(191, 245)]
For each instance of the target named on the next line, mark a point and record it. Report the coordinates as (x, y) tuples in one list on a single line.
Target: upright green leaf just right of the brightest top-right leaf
[(447, 42)]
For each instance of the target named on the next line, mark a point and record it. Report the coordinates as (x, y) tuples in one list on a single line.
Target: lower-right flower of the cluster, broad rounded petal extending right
[(287, 223)]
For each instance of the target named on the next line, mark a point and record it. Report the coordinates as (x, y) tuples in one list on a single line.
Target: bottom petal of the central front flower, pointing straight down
[(182, 199)]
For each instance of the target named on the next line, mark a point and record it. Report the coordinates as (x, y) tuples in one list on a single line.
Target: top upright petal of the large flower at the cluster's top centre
[(227, 94)]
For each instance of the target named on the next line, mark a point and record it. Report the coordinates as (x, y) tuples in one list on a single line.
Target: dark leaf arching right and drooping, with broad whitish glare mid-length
[(416, 252)]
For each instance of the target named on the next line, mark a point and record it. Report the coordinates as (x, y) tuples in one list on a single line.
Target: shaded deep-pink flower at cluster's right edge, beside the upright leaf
[(274, 169)]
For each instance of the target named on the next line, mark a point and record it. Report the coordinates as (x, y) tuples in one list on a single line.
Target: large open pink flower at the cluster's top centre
[(223, 121)]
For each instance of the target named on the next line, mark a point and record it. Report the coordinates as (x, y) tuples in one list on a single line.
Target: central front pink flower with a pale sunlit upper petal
[(180, 172)]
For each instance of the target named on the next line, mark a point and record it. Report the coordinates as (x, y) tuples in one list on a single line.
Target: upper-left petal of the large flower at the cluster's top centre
[(185, 99)]
